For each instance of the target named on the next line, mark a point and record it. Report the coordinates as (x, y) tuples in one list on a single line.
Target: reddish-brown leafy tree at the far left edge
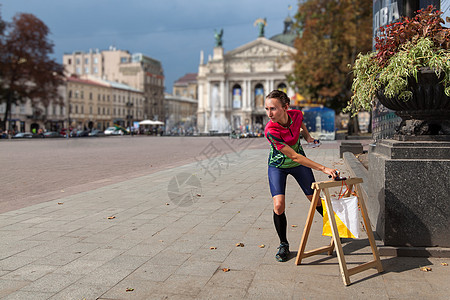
[(26, 70)]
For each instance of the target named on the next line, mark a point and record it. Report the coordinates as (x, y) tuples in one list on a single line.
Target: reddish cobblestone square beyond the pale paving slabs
[(40, 170)]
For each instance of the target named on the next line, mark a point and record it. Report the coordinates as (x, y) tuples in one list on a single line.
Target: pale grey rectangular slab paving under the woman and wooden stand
[(170, 234)]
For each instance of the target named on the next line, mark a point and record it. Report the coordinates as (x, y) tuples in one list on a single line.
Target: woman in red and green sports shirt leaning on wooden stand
[(287, 157)]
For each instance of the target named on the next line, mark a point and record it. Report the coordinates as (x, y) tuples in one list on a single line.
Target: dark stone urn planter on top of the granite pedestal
[(427, 112)]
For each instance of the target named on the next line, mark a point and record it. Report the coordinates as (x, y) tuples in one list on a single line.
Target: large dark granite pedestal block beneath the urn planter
[(409, 192)]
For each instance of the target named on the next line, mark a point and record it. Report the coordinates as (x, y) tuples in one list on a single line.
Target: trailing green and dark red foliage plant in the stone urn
[(402, 50)]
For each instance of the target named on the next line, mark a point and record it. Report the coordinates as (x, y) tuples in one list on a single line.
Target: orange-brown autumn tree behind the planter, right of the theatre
[(333, 32)]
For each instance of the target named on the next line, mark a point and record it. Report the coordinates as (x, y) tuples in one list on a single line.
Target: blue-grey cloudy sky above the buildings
[(171, 31)]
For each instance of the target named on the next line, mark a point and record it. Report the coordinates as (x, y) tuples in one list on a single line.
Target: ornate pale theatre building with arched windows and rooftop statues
[(232, 86)]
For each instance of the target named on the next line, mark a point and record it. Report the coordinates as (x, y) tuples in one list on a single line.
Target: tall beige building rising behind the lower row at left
[(135, 70)]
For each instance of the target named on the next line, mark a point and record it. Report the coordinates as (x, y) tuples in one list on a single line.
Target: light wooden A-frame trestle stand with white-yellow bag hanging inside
[(335, 240)]
